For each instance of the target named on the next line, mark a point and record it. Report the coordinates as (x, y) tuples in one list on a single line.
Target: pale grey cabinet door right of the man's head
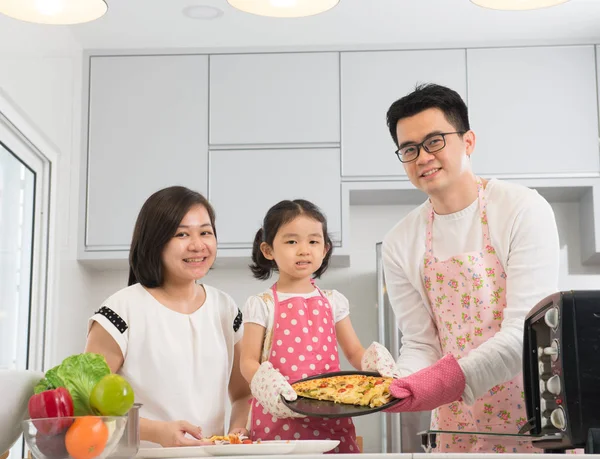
[(534, 110)]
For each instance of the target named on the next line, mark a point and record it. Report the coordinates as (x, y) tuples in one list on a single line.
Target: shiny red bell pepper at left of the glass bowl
[(56, 403)]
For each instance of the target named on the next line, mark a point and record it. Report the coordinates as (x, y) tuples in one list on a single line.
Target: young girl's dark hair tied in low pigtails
[(281, 213)]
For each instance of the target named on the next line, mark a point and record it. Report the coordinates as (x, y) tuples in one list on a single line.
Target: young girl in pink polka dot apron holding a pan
[(292, 330)]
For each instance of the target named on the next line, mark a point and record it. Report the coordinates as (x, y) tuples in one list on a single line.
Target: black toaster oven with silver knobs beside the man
[(561, 371)]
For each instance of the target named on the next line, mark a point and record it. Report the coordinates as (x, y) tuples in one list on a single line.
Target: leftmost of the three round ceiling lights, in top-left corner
[(63, 12)]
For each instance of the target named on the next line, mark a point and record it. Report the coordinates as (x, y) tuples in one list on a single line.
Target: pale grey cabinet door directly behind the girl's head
[(244, 184)]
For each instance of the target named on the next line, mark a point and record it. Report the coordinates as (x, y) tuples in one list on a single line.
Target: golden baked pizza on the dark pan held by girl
[(362, 390)]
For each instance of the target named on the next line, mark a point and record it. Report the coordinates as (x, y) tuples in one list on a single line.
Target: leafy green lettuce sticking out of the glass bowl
[(78, 374)]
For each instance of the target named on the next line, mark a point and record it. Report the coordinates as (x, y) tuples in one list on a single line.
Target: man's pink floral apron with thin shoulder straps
[(467, 294)]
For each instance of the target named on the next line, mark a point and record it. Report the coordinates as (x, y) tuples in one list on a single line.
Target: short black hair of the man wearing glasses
[(428, 96)]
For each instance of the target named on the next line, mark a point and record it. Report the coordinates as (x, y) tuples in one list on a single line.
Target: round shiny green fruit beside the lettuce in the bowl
[(112, 396)]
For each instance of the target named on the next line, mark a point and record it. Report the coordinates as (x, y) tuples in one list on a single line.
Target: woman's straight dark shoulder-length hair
[(156, 224)]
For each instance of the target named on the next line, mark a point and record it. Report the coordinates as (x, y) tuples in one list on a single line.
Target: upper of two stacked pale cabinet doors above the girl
[(274, 99)]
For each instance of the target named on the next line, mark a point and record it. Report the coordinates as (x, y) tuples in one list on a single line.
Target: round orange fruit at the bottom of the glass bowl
[(86, 438)]
